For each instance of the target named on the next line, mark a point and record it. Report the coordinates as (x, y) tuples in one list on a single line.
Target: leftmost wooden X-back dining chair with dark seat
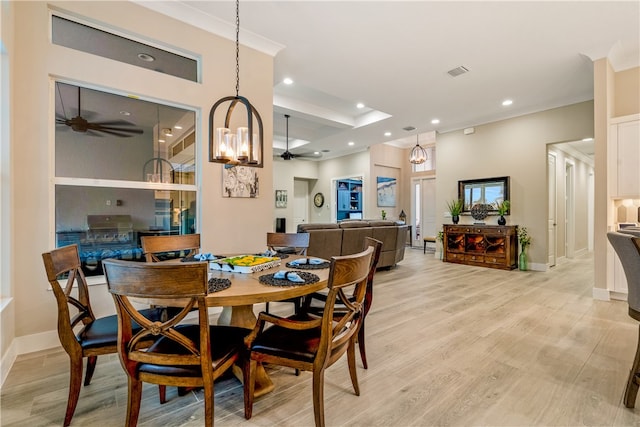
[(81, 334)]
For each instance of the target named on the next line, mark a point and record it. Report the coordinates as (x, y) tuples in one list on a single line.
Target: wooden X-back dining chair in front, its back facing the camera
[(182, 354)]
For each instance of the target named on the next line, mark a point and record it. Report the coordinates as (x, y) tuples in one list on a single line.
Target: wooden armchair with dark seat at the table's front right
[(311, 343)]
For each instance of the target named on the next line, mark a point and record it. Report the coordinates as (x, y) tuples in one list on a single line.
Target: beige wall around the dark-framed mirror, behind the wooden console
[(516, 148)]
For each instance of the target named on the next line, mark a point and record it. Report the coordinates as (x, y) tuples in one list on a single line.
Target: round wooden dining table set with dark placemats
[(246, 289)]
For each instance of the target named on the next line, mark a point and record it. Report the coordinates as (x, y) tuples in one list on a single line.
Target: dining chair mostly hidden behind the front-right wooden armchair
[(314, 303)]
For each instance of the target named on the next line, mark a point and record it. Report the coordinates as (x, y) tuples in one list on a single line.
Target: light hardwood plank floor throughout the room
[(447, 344)]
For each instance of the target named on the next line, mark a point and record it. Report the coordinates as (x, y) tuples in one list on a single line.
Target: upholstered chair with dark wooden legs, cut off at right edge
[(627, 246)]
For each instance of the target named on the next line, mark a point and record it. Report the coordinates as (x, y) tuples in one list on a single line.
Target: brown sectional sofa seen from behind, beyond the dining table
[(346, 237)]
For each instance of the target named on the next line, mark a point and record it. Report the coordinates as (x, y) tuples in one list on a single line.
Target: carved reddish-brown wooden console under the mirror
[(494, 246)]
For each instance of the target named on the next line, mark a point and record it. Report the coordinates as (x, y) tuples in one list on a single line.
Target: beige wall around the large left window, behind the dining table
[(35, 61)]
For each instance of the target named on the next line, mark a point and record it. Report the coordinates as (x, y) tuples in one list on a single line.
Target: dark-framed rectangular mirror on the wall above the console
[(488, 191)]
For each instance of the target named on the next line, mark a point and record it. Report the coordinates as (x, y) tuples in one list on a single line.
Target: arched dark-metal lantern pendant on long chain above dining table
[(242, 147)]
